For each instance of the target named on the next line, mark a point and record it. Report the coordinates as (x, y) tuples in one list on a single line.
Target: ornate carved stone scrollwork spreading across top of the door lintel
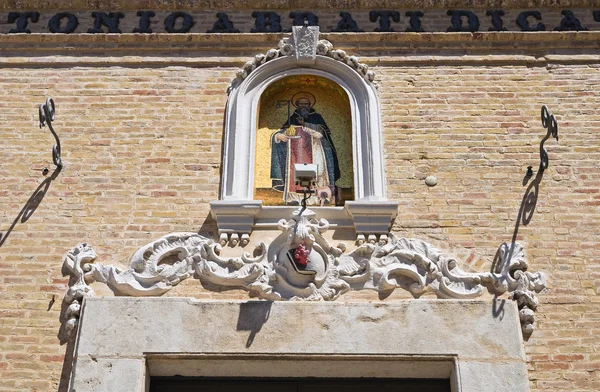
[(272, 272)]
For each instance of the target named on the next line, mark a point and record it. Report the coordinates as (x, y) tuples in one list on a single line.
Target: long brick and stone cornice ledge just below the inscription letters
[(199, 49)]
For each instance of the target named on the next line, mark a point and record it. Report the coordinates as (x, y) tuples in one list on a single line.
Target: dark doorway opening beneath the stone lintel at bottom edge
[(205, 384)]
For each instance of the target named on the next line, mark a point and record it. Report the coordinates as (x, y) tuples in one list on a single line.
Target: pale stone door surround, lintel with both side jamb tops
[(462, 340)]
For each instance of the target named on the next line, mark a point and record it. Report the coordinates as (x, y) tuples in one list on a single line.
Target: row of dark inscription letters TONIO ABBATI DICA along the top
[(65, 22)]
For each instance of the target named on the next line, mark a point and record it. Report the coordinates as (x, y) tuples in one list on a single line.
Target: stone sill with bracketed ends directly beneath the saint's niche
[(236, 219)]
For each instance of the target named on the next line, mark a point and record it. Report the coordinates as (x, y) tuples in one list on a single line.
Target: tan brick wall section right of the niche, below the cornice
[(477, 129)]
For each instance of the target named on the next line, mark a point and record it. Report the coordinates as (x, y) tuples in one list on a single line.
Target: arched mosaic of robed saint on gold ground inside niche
[(304, 119)]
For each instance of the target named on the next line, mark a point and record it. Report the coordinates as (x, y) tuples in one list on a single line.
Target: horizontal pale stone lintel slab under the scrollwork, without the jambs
[(112, 327)]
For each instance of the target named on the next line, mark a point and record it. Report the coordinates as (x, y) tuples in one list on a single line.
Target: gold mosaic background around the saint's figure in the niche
[(331, 102)]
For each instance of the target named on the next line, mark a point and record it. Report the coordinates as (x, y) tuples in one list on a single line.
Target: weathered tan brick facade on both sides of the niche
[(140, 118)]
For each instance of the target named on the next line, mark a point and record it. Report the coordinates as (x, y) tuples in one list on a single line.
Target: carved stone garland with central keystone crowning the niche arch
[(305, 45)]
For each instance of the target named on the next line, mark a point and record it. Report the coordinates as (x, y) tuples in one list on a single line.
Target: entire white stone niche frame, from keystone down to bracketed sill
[(236, 212)]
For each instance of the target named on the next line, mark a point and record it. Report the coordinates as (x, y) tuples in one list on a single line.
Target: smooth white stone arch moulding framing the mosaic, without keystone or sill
[(242, 117)]
